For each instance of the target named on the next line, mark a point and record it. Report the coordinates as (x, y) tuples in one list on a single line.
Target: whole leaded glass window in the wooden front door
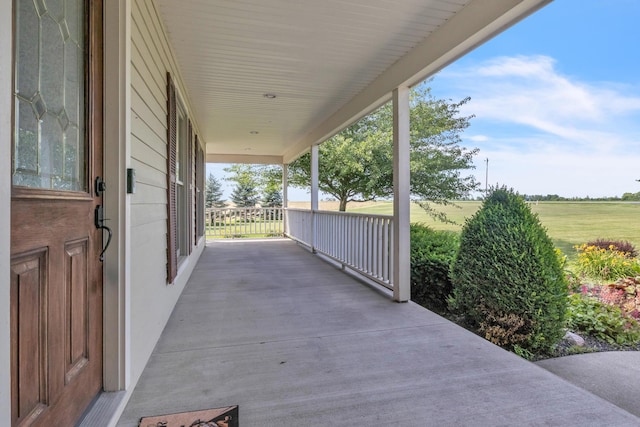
[(50, 139)]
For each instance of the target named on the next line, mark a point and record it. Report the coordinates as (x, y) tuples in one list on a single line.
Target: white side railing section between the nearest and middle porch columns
[(361, 242)]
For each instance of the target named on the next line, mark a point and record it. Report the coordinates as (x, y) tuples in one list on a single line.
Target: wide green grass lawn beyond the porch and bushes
[(567, 223)]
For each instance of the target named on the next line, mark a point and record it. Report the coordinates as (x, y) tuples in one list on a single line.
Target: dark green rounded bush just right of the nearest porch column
[(432, 253)]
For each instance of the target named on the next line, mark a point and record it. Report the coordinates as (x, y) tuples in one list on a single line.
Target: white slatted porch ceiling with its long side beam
[(327, 61)]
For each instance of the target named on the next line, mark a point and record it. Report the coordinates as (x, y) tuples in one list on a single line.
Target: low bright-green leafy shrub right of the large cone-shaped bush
[(588, 315)]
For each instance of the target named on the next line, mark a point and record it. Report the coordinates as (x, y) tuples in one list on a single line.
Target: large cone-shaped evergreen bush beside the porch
[(507, 279)]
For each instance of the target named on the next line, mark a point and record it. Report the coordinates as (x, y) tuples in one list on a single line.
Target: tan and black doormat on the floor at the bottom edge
[(219, 417)]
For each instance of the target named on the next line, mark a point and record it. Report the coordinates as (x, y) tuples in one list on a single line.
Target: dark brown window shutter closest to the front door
[(172, 225)]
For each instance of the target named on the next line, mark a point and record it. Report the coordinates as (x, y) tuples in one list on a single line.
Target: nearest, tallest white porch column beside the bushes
[(401, 200)]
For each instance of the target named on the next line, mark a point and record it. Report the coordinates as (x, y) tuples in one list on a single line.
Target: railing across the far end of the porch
[(238, 222)]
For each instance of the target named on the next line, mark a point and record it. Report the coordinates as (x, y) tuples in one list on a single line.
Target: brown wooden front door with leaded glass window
[(56, 276)]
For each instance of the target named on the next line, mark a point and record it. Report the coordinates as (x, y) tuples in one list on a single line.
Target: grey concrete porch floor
[(296, 342)]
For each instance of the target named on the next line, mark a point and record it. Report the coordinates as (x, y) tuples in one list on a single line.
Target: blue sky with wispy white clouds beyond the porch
[(556, 100)]
